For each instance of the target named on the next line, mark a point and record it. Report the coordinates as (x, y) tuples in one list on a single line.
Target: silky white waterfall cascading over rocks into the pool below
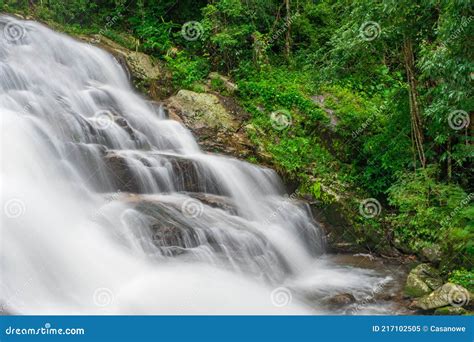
[(110, 207)]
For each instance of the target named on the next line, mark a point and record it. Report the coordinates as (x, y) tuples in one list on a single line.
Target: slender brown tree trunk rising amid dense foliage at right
[(415, 117)]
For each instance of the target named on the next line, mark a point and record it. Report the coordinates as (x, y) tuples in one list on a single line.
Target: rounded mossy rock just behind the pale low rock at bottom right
[(422, 280)]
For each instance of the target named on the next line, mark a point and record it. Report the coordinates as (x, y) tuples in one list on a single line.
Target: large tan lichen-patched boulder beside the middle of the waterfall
[(216, 122)]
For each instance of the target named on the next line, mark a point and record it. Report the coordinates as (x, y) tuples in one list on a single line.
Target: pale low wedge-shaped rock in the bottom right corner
[(448, 294)]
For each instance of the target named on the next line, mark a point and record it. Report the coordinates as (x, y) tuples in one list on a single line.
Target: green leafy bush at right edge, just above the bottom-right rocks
[(433, 212)]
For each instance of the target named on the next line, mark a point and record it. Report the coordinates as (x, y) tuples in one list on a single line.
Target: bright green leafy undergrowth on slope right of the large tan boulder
[(293, 148)]
